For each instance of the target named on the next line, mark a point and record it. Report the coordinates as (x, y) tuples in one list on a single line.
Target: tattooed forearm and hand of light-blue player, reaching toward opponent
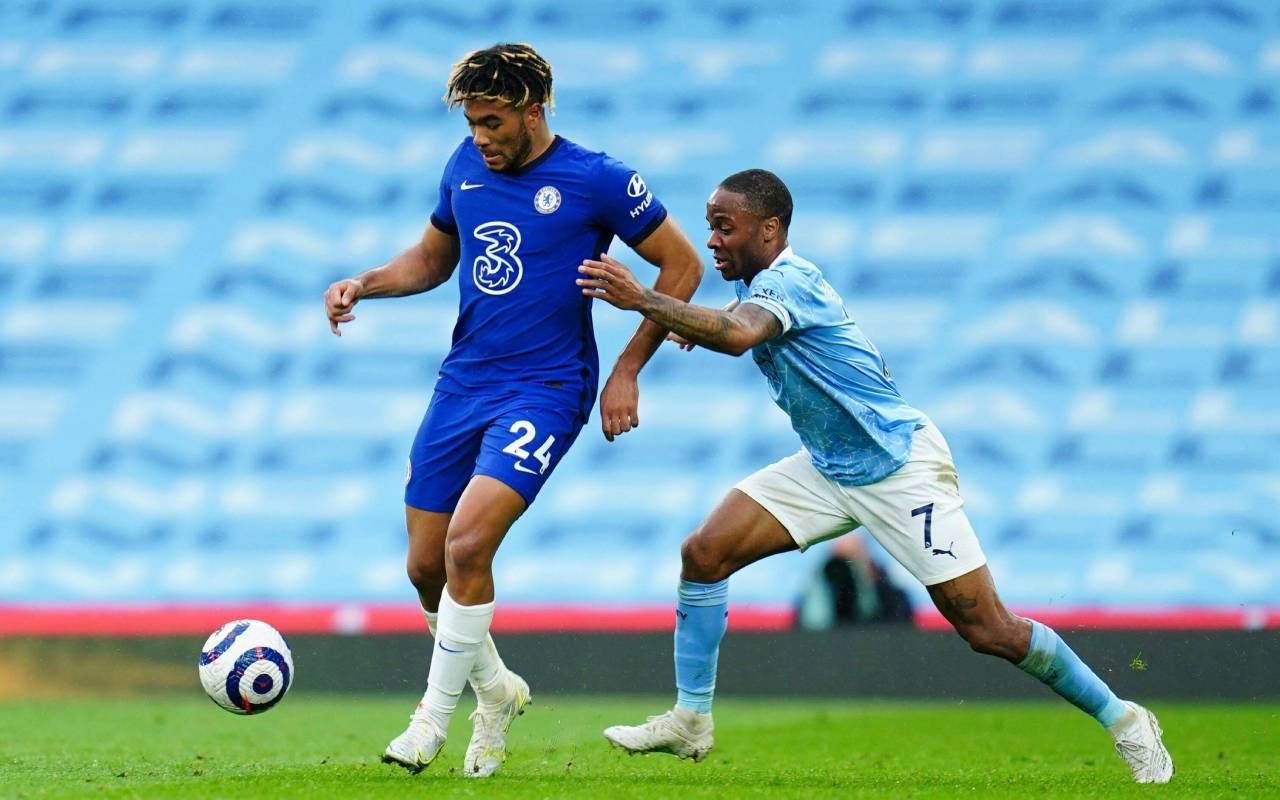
[(728, 332)]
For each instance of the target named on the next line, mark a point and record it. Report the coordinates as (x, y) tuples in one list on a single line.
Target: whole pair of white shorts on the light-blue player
[(916, 514)]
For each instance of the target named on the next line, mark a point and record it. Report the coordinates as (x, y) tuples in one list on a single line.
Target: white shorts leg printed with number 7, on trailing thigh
[(917, 514)]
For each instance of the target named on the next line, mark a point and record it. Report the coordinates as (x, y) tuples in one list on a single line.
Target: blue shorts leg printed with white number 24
[(525, 442)]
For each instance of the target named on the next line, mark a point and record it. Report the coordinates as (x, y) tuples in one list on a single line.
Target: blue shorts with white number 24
[(515, 437)]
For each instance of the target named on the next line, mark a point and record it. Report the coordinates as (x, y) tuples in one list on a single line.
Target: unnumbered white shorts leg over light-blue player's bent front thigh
[(806, 505)]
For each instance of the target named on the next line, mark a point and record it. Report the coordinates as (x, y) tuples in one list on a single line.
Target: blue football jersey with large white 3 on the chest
[(523, 321)]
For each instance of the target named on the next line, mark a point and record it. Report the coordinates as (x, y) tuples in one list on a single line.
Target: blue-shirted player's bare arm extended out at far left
[(419, 268)]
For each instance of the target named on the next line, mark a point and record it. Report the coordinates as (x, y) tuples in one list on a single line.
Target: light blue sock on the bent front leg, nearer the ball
[(702, 615)]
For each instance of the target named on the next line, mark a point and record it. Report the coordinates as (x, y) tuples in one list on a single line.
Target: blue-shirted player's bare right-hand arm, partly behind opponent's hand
[(679, 275)]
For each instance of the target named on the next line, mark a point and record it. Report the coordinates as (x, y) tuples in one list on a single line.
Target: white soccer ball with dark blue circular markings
[(246, 668)]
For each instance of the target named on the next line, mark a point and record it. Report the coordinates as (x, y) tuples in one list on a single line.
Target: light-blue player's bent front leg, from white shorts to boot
[(780, 509)]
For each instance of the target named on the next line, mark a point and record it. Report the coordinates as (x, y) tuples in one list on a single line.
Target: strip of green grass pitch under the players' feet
[(317, 746)]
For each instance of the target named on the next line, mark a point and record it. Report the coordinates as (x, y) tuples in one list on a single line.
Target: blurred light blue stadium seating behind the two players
[(1058, 222)]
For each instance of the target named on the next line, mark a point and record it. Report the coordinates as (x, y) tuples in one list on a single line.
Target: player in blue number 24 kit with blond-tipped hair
[(519, 209)]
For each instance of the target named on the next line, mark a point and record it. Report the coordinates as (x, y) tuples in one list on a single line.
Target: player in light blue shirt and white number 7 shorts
[(868, 460)]
